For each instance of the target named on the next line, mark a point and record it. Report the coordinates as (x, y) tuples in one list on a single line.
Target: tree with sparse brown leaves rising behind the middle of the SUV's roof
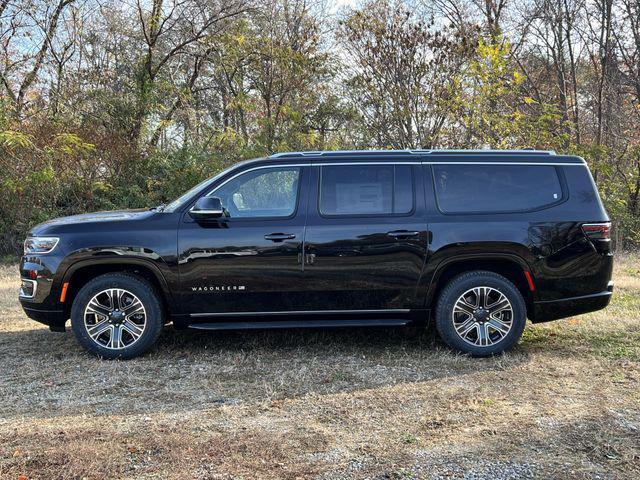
[(401, 79)]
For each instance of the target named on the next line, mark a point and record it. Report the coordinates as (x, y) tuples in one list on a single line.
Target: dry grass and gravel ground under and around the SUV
[(334, 404)]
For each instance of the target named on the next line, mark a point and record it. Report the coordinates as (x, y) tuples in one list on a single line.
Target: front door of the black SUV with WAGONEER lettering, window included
[(250, 259)]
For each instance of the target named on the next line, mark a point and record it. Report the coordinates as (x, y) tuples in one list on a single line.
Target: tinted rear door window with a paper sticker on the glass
[(366, 190)]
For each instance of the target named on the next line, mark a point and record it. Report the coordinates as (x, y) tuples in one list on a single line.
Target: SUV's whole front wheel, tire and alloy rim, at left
[(117, 315)]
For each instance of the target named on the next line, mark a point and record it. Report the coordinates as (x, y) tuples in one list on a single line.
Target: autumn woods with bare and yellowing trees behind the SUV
[(107, 104)]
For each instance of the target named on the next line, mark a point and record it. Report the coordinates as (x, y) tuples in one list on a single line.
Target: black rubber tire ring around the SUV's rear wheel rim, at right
[(460, 285)]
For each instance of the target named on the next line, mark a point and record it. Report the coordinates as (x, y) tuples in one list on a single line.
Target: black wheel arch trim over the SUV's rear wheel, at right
[(510, 266)]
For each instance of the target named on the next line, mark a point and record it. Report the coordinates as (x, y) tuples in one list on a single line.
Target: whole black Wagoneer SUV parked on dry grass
[(476, 240)]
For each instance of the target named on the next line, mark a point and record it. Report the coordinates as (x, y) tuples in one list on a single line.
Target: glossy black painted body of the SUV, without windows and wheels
[(343, 267)]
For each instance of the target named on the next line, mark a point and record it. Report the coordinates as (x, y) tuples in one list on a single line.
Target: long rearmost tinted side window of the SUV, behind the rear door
[(495, 188)]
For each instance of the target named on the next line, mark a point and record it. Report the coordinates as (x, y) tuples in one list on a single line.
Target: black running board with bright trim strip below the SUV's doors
[(385, 322)]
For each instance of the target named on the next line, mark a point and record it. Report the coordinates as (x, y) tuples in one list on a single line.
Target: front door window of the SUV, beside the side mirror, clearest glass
[(269, 192)]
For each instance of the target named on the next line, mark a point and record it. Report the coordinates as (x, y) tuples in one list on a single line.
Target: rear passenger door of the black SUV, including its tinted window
[(366, 236)]
